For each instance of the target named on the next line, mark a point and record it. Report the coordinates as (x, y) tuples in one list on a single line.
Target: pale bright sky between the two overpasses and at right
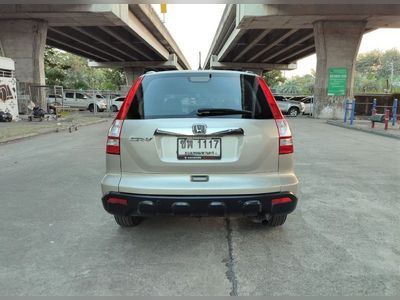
[(193, 27)]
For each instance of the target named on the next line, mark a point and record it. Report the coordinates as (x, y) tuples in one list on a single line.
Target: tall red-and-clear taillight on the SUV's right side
[(285, 136)]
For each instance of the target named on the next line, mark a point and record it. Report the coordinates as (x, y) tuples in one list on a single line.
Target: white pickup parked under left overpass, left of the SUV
[(79, 100)]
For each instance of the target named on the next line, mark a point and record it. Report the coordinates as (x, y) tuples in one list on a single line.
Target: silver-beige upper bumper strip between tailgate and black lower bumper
[(217, 184)]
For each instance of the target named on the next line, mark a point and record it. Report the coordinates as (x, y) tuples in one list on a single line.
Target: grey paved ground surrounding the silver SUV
[(344, 238)]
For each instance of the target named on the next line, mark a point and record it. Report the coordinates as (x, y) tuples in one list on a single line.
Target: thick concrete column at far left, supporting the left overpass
[(24, 41)]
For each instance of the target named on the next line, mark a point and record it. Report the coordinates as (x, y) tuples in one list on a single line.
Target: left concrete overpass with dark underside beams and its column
[(110, 35)]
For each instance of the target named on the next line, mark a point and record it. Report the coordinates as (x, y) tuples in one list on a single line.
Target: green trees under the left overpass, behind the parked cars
[(72, 72)]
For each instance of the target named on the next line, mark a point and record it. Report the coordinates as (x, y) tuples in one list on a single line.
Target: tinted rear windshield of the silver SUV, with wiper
[(182, 95)]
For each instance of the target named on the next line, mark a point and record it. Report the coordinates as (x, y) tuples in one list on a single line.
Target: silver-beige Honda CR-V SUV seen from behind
[(199, 143)]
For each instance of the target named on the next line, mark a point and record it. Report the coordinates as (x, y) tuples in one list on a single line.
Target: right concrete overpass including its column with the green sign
[(263, 37)]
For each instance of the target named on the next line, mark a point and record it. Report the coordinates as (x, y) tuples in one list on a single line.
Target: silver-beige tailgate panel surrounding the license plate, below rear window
[(255, 151)]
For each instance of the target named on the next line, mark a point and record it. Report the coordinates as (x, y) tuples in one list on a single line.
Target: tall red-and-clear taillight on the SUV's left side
[(114, 134)]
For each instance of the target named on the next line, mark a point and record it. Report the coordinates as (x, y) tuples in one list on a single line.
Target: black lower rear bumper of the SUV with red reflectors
[(246, 205)]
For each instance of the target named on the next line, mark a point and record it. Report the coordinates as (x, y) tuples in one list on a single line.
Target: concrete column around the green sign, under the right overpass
[(337, 44)]
